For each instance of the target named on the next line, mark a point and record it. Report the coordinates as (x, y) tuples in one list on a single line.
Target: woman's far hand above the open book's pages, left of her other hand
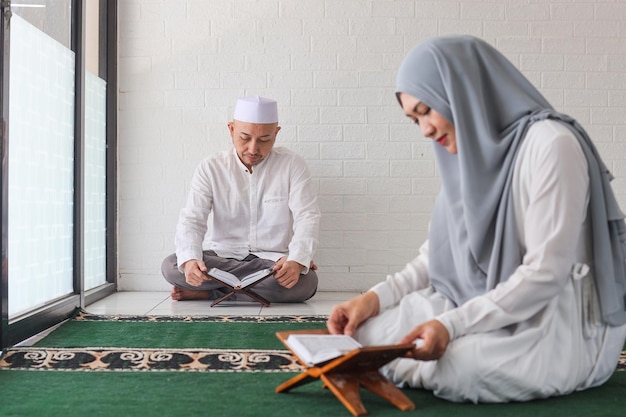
[(347, 316)]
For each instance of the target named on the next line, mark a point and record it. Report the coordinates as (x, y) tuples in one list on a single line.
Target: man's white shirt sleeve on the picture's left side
[(192, 221)]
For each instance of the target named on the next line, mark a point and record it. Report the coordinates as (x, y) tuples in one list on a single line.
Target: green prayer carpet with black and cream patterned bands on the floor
[(214, 366)]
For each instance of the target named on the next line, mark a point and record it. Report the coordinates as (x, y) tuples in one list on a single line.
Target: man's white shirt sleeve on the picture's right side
[(306, 215)]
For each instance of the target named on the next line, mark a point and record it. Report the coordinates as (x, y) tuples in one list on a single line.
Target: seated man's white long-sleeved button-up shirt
[(271, 212)]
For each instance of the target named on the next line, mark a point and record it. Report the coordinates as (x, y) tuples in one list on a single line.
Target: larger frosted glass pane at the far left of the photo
[(41, 168)]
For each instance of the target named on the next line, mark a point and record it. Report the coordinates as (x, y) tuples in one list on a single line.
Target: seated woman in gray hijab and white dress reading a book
[(519, 291)]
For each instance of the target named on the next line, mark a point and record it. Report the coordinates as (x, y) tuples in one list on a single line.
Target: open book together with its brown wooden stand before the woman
[(344, 373)]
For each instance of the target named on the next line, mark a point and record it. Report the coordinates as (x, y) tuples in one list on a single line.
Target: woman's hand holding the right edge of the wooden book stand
[(434, 340)]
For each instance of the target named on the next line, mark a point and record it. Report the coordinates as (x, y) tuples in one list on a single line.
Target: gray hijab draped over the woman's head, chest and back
[(473, 238)]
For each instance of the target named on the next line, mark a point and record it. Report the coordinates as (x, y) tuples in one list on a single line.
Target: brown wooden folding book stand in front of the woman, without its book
[(346, 374)]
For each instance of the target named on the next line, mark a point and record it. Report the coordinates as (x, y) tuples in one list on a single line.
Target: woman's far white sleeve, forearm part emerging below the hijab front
[(413, 277)]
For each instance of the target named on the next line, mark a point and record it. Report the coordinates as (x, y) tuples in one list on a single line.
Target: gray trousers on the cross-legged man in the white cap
[(268, 288)]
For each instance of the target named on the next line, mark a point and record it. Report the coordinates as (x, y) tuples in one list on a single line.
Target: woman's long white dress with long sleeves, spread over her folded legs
[(539, 333)]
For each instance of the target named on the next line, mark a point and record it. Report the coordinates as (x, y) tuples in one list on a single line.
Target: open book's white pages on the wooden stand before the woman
[(315, 349)]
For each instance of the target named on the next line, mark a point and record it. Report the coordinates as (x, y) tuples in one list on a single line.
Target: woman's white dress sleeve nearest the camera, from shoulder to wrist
[(551, 209)]
